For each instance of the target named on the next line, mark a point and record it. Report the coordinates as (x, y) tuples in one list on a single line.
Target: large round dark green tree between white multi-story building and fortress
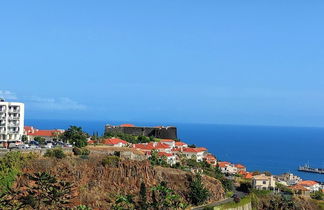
[(76, 136)]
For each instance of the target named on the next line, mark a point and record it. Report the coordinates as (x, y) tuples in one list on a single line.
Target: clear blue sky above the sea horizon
[(234, 62)]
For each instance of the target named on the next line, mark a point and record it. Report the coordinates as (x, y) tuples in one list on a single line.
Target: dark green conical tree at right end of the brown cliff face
[(198, 193)]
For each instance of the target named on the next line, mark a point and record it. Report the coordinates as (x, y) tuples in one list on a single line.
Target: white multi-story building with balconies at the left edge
[(11, 121)]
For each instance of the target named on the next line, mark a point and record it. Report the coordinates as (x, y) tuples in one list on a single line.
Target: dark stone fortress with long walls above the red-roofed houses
[(162, 132)]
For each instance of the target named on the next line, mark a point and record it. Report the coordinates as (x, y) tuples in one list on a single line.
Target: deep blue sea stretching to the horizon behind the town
[(259, 148)]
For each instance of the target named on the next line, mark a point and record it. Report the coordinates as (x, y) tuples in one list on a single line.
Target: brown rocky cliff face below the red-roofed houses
[(97, 185)]
